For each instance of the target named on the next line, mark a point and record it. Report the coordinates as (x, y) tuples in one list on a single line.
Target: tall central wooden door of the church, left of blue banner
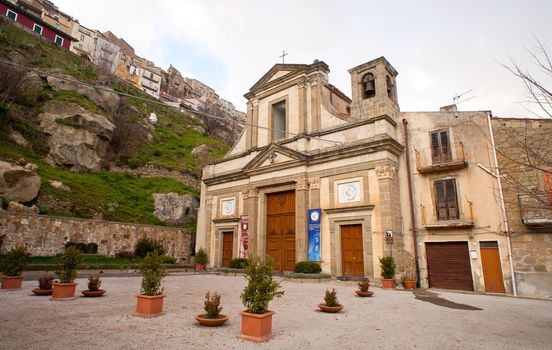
[(280, 229)]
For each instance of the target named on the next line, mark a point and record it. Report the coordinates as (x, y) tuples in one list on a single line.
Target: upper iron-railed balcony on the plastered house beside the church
[(429, 160)]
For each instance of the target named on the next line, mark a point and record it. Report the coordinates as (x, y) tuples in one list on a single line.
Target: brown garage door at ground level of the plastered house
[(448, 265)]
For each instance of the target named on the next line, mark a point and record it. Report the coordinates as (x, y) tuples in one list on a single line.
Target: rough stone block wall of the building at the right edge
[(531, 246)]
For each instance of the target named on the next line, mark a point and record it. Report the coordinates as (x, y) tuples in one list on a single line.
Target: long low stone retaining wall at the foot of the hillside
[(47, 235)]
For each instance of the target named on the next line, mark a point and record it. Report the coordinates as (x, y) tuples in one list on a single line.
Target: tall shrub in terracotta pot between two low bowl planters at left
[(64, 289)]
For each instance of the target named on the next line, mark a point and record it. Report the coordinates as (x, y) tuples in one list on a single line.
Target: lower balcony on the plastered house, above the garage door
[(447, 217)]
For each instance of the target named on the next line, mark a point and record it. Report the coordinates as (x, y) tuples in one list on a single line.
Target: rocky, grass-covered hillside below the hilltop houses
[(72, 145)]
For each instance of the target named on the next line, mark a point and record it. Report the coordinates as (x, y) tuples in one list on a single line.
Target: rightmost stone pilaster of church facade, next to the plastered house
[(390, 211)]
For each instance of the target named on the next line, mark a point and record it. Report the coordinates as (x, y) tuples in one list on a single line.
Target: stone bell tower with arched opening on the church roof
[(374, 89)]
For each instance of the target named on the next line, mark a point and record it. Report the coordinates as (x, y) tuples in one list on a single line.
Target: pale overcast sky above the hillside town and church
[(440, 48)]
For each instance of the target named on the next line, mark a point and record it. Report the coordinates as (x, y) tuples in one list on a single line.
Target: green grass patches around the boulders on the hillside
[(118, 197)]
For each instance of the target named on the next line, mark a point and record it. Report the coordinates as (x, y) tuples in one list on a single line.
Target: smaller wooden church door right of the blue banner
[(352, 250)]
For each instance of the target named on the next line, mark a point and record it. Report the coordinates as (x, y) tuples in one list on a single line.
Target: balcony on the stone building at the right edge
[(536, 209)]
